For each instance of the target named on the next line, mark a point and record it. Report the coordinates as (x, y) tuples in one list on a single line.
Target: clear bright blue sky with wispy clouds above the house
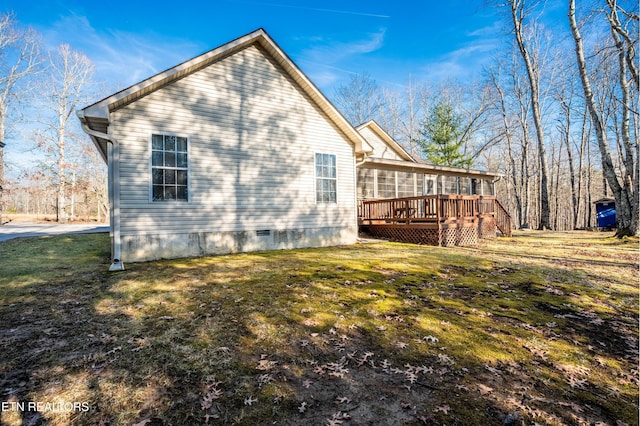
[(329, 40)]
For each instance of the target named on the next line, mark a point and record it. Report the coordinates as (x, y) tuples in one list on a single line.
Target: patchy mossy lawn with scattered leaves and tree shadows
[(540, 328)]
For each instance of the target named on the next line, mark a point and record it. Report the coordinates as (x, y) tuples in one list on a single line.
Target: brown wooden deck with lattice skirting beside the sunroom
[(442, 220)]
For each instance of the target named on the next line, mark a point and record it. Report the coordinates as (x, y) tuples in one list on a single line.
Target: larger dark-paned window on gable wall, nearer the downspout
[(169, 168)]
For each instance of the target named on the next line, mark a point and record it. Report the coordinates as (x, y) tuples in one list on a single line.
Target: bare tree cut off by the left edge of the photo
[(19, 57)]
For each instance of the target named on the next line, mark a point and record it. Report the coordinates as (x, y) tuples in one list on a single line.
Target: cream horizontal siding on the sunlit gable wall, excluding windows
[(252, 135)]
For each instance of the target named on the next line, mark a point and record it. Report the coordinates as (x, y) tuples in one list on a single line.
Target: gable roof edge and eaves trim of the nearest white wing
[(95, 118)]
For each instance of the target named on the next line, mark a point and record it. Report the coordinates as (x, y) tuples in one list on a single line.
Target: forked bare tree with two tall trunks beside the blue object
[(625, 192)]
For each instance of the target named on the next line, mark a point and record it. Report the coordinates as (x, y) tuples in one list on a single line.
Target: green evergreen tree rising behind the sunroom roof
[(443, 138)]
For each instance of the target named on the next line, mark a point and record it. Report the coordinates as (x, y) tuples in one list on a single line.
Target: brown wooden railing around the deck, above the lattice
[(433, 208)]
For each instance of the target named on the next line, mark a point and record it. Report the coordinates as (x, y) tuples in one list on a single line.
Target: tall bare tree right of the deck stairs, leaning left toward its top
[(531, 58)]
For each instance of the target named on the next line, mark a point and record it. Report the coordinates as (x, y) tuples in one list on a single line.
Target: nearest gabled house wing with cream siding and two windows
[(234, 150)]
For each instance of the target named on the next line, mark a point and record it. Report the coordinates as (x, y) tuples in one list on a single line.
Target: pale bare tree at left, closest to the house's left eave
[(69, 73)]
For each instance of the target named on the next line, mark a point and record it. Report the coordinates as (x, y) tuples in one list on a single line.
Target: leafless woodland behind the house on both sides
[(555, 113)]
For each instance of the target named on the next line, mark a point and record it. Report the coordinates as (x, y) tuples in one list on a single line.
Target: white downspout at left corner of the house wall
[(113, 154)]
